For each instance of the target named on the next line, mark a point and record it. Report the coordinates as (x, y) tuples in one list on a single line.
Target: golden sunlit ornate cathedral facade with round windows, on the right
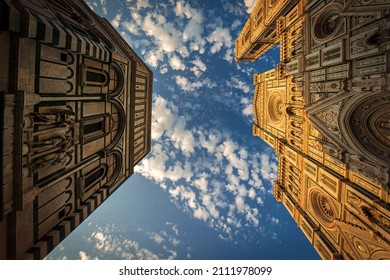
[(325, 109)]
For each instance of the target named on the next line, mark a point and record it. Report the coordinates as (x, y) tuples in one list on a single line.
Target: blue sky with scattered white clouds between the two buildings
[(205, 189)]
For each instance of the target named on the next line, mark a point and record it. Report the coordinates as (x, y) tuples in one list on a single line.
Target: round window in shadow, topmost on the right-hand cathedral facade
[(328, 23)]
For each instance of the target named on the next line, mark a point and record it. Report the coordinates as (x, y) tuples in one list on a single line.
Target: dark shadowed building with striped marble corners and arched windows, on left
[(75, 120)]
